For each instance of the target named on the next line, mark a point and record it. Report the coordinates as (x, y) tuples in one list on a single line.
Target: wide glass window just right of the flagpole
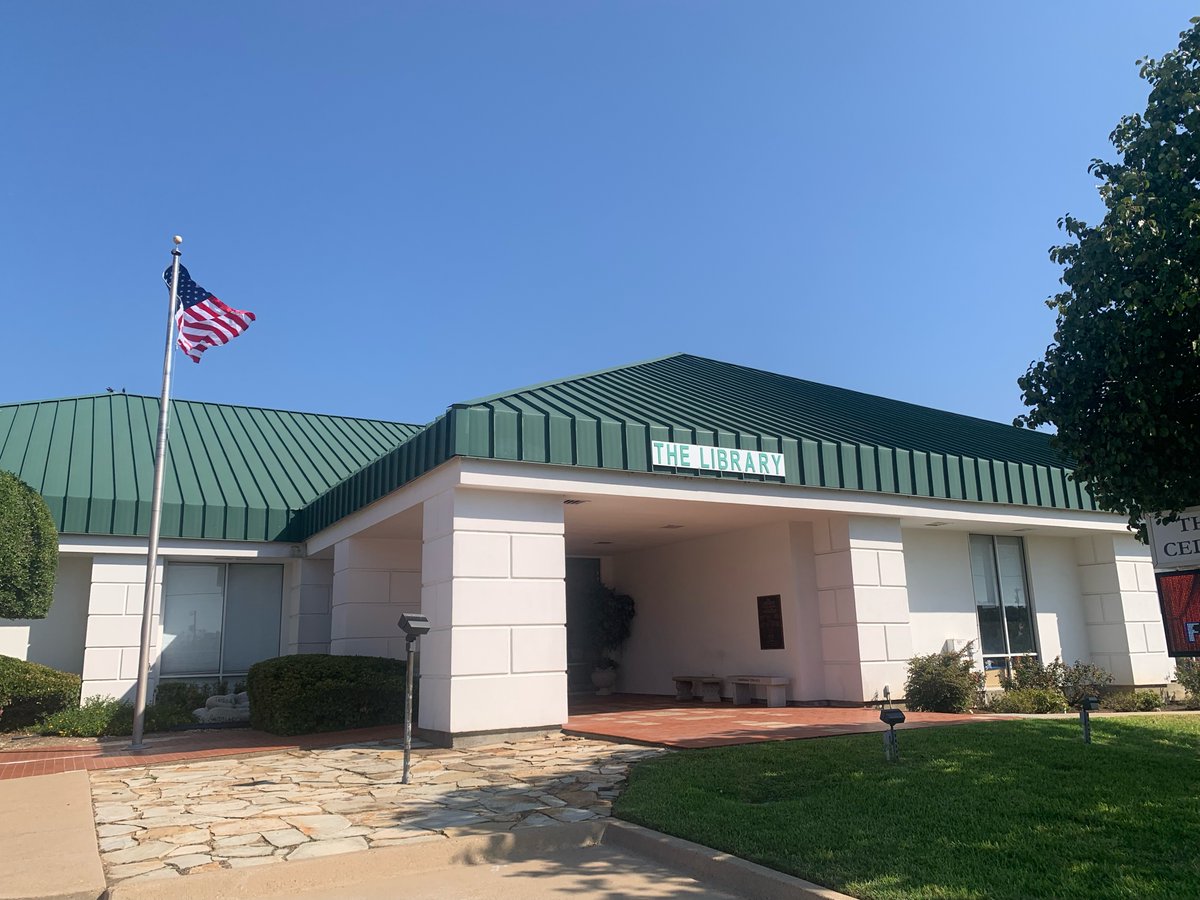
[(220, 620)]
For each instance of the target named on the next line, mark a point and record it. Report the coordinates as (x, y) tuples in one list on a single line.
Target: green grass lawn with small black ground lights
[(1018, 809)]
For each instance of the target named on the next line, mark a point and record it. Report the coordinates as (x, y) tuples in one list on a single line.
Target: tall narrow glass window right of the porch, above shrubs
[(1003, 601)]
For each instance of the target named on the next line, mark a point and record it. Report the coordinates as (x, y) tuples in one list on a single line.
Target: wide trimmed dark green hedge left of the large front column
[(309, 693)]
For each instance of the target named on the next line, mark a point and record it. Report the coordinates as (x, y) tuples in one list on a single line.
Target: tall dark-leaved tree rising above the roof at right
[(1121, 382)]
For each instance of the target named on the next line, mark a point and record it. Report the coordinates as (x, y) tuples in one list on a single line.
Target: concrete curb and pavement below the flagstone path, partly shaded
[(602, 860)]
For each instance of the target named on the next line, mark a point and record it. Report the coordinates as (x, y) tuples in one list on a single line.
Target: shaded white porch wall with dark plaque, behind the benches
[(698, 610)]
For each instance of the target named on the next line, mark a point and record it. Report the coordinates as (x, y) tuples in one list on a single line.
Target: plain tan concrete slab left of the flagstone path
[(49, 837)]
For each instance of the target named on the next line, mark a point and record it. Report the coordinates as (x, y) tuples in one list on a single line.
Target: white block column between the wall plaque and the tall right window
[(863, 599)]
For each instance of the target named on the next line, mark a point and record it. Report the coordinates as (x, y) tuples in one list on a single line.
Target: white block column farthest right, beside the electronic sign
[(1125, 625)]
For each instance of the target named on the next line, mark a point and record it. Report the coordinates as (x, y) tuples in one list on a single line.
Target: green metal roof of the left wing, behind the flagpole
[(233, 473)]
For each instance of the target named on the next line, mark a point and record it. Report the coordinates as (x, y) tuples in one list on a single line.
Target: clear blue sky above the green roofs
[(428, 202)]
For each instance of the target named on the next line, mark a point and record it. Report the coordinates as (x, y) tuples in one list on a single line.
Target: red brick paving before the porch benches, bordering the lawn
[(670, 723)]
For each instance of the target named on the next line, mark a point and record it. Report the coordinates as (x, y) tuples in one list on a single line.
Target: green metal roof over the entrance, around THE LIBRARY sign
[(830, 437)]
